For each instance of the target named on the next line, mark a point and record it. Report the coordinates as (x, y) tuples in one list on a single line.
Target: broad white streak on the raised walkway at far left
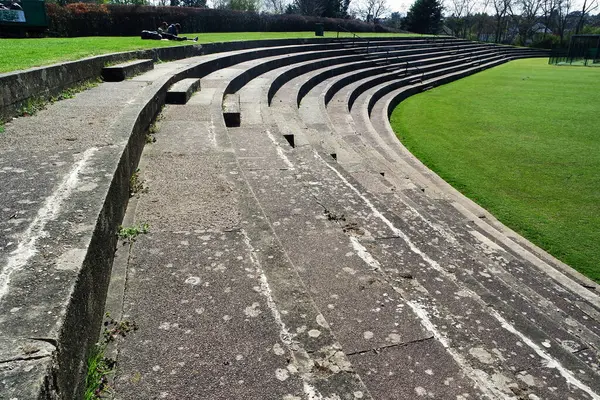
[(49, 210)]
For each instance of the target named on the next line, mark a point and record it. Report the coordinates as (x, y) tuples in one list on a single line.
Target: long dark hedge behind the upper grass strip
[(89, 19)]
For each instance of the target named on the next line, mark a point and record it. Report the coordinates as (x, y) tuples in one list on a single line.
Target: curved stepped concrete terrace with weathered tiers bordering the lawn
[(303, 254)]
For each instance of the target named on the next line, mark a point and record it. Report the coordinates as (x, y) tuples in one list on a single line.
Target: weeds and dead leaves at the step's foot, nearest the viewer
[(100, 367)]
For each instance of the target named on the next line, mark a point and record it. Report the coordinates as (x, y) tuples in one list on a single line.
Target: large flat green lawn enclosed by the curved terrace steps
[(523, 141)]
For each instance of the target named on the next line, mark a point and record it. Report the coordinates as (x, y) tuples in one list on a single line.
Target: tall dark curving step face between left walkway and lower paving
[(84, 312)]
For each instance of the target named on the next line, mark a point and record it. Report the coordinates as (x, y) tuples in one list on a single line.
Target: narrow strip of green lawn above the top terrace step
[(26, 53)]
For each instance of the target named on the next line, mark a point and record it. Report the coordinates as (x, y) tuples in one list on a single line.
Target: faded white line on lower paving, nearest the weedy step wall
[(284, 334)]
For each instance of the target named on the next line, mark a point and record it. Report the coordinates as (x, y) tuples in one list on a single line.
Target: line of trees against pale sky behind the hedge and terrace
[(524, 22)]
